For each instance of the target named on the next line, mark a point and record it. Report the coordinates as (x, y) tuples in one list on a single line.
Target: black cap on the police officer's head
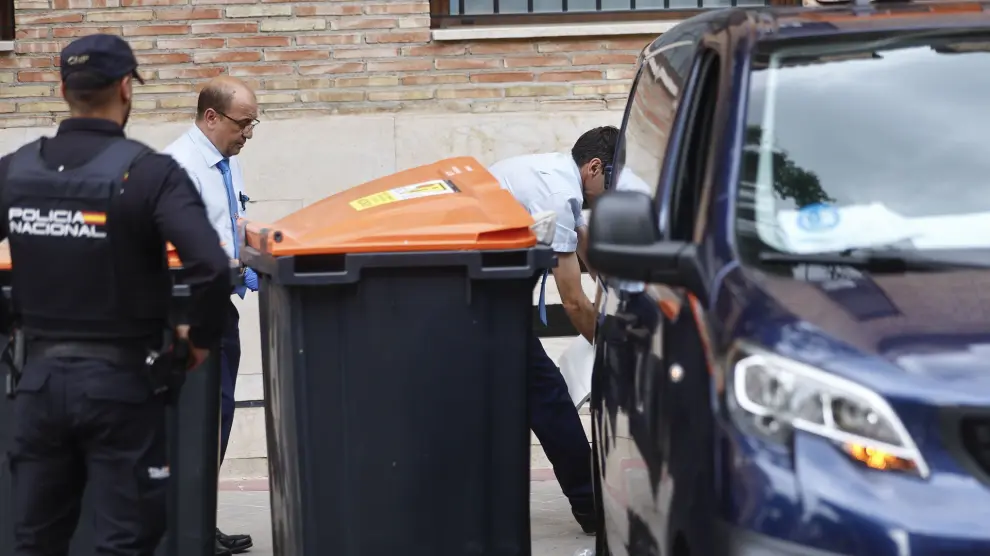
[(95, 61)]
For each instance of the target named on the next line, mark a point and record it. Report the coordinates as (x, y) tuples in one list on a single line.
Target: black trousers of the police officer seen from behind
[(82, 423)]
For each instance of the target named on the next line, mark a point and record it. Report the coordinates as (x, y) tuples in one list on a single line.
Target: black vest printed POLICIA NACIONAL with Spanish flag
[(65, 276)]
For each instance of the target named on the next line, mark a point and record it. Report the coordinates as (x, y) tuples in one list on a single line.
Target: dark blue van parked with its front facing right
[(793, 350)]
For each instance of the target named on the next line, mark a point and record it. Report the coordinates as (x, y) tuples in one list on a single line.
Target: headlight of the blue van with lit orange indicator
[(780, 394)]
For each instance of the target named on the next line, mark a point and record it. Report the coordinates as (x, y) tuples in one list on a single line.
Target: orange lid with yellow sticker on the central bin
[(453, 204)]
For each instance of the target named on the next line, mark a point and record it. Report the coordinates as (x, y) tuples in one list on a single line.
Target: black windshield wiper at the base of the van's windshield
[(888, 261)]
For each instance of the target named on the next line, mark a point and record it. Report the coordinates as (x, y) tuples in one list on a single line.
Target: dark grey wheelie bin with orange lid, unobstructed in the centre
[(395, 320)]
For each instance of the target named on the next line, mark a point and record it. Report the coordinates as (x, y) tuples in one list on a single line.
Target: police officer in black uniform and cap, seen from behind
[(88, 214)]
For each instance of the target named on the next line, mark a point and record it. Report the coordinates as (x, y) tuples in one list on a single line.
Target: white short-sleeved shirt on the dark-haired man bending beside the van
[(542, 182)]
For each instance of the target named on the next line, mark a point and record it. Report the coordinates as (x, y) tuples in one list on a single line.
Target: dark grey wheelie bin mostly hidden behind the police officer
[(193, 426)]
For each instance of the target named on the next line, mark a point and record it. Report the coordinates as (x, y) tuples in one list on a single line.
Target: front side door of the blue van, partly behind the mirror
[(685, 390)]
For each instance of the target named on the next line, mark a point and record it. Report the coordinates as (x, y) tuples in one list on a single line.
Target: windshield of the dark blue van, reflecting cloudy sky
[(882, 143)]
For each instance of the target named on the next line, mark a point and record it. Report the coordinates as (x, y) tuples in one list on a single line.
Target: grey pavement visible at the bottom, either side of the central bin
[(244, 508)]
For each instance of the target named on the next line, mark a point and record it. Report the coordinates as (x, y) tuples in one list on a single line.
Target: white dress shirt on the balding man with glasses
[(194, 152)]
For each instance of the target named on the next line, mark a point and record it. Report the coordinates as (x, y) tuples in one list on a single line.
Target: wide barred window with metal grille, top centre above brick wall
[(447, 13)]
